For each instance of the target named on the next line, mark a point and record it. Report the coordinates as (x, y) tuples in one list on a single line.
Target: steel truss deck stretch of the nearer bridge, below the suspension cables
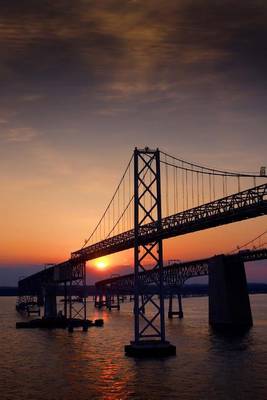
[(247, 204)]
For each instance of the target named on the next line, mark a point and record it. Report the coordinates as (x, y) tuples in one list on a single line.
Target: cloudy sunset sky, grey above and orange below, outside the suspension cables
[(84, 82)]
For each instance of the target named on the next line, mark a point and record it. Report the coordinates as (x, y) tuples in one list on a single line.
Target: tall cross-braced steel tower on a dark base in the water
[(149, 328)]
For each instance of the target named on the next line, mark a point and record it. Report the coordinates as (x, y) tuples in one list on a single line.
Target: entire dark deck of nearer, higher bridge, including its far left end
[(250, 203)]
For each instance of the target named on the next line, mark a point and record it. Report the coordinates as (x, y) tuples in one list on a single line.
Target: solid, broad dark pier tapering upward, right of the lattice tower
[(229, 306)]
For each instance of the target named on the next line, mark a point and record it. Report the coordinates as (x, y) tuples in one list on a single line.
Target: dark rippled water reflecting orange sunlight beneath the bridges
[(48, 365)]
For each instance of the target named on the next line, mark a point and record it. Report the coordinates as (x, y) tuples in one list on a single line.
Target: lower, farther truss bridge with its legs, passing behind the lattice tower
[(112, 291)]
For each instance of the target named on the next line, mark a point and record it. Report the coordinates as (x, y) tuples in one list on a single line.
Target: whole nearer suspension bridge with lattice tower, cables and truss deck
[(158, 197)]
